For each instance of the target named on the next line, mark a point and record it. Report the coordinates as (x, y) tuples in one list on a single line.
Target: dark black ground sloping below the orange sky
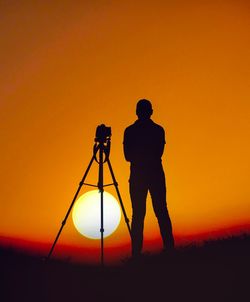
[(217, 271)]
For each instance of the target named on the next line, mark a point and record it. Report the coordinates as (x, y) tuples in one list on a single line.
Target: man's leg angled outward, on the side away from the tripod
[(158, 194)]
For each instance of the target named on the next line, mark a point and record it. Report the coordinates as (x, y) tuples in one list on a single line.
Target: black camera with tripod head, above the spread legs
[(102, 142)]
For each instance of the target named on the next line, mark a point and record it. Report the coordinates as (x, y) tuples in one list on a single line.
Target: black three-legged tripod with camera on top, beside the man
[(101, 146)]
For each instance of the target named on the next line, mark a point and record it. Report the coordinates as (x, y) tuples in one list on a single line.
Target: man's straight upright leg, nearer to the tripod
[(138, 195)]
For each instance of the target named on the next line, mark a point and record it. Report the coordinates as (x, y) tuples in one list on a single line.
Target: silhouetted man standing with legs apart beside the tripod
[(144, 143)]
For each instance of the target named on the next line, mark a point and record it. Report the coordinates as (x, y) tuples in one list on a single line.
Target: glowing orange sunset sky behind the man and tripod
[(68, 66)]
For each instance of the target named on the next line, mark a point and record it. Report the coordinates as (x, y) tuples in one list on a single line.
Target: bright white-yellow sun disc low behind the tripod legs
[(87, 214)]
